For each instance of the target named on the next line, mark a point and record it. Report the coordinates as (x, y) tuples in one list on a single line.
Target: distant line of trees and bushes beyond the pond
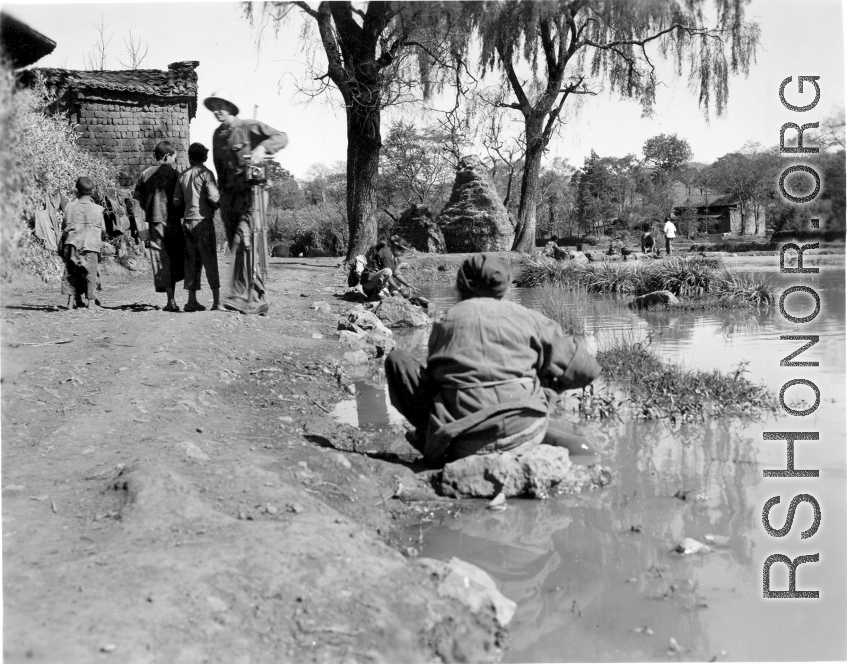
[(606, 194)]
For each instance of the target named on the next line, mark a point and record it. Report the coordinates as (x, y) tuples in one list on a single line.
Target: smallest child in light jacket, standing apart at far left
[(81, 242)]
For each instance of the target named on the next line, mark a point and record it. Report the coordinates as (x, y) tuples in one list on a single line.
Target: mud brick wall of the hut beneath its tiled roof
[(127, 131)]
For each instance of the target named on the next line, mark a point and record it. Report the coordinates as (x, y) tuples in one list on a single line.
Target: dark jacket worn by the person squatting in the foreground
[(486, 361)]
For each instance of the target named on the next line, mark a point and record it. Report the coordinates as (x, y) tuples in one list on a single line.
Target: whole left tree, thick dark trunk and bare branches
[(377, 54)]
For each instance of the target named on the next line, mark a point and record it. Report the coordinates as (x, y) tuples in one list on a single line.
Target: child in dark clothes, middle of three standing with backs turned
[(155, 192)]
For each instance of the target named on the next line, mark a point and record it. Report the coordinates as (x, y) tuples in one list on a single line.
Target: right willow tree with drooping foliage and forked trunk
[(573, 47)]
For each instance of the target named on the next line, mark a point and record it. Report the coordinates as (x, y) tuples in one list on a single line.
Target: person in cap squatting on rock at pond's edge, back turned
[(481, 390)]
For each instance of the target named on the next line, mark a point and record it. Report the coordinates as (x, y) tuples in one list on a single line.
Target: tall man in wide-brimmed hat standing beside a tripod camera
[(235, 145)]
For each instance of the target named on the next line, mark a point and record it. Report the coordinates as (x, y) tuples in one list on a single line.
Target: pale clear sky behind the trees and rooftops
[(798, 38)]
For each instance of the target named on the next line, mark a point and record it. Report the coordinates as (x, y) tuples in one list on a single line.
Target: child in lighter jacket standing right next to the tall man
[(197, 192)]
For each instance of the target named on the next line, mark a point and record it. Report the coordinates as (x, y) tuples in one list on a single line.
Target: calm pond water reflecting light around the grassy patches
[(595, 577)]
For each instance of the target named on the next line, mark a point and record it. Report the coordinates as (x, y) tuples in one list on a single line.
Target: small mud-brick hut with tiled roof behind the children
[(121, 115)]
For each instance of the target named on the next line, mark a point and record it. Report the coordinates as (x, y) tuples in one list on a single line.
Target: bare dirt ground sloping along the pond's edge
[(171, 492)]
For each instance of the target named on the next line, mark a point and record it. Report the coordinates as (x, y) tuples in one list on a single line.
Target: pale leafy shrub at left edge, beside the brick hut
[(39, 158)]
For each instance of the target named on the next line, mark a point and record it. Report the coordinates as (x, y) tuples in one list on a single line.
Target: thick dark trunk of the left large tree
[(364, 143)]
